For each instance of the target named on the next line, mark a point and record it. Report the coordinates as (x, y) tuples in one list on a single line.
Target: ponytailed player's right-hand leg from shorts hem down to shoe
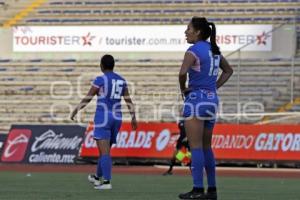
[(210, 166)]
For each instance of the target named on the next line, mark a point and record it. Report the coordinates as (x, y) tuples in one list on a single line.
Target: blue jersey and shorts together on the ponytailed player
[(203, 101)]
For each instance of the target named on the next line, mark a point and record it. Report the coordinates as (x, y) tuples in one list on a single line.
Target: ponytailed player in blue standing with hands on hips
[(201, 62)]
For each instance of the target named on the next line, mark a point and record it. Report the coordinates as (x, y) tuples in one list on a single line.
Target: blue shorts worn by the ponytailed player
[(202, 104)]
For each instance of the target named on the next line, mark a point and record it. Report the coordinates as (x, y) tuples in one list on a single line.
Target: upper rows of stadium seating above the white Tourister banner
[(158, 12)]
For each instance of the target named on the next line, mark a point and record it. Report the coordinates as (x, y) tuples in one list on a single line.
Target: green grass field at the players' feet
[(73, 186)]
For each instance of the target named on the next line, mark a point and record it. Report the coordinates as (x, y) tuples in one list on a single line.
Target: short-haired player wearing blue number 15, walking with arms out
[(109, 88)]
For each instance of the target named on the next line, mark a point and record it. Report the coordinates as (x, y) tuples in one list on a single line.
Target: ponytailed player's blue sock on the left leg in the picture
[(197, 167)]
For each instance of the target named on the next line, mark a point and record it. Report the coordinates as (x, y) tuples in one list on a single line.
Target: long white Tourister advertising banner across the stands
[(163, 38)]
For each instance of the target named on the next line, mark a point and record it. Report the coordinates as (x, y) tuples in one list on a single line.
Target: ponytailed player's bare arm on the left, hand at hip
[(188, 61)]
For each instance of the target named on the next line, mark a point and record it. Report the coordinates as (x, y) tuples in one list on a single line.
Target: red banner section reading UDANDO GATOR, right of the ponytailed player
[(257, 142)]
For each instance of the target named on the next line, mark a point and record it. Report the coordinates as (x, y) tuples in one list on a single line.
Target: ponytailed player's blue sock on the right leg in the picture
[(210, 167)]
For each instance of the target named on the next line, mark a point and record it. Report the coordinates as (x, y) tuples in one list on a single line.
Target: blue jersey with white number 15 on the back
[(111, 89)]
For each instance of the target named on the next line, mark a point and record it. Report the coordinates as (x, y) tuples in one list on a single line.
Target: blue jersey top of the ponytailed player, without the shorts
[(203, 74)]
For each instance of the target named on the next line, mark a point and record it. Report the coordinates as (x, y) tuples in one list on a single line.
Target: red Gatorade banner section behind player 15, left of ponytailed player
[(150, 140)]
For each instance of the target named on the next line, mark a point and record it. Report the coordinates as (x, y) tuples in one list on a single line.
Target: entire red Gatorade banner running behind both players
[(235, 142)]
